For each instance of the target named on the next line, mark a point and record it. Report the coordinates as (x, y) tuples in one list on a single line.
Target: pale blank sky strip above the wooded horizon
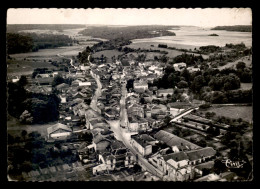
[(208, 17)]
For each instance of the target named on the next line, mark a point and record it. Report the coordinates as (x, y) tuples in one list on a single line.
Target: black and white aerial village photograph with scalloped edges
[(129, 94)]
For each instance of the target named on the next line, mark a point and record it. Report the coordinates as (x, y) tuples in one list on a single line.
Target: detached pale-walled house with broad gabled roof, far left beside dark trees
[(58, 132)]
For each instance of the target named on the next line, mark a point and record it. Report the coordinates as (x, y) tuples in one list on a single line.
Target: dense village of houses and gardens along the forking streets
[(122, 131)]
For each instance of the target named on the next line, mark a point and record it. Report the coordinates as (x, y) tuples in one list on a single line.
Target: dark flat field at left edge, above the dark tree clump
[(25, 67)]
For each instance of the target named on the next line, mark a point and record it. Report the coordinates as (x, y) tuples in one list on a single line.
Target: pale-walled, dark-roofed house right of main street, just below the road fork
[(141, 144)]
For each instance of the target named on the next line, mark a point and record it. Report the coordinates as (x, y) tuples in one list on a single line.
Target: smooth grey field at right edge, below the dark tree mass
[(244, 112)]
